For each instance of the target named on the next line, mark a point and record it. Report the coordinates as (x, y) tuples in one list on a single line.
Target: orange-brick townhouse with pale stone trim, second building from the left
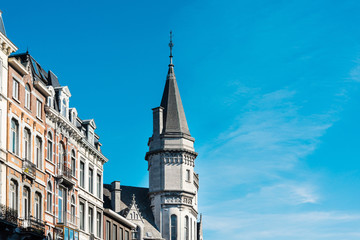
[(26, 177)]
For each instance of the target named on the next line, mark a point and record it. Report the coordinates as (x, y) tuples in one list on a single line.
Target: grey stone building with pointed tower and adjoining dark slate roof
[(168, 209)]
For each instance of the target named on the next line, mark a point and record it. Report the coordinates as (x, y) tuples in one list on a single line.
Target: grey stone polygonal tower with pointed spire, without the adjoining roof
[(173, 184)]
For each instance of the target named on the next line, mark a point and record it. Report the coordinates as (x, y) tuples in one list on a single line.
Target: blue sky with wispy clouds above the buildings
[(270, 90)]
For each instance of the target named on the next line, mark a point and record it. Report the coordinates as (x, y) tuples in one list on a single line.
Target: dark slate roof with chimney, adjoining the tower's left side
[(143, 204)]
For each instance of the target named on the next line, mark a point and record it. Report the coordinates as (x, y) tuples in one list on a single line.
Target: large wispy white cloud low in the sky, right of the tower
[(259, 161)]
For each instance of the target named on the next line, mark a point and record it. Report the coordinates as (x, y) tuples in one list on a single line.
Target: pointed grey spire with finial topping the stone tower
[(174, 115)]
